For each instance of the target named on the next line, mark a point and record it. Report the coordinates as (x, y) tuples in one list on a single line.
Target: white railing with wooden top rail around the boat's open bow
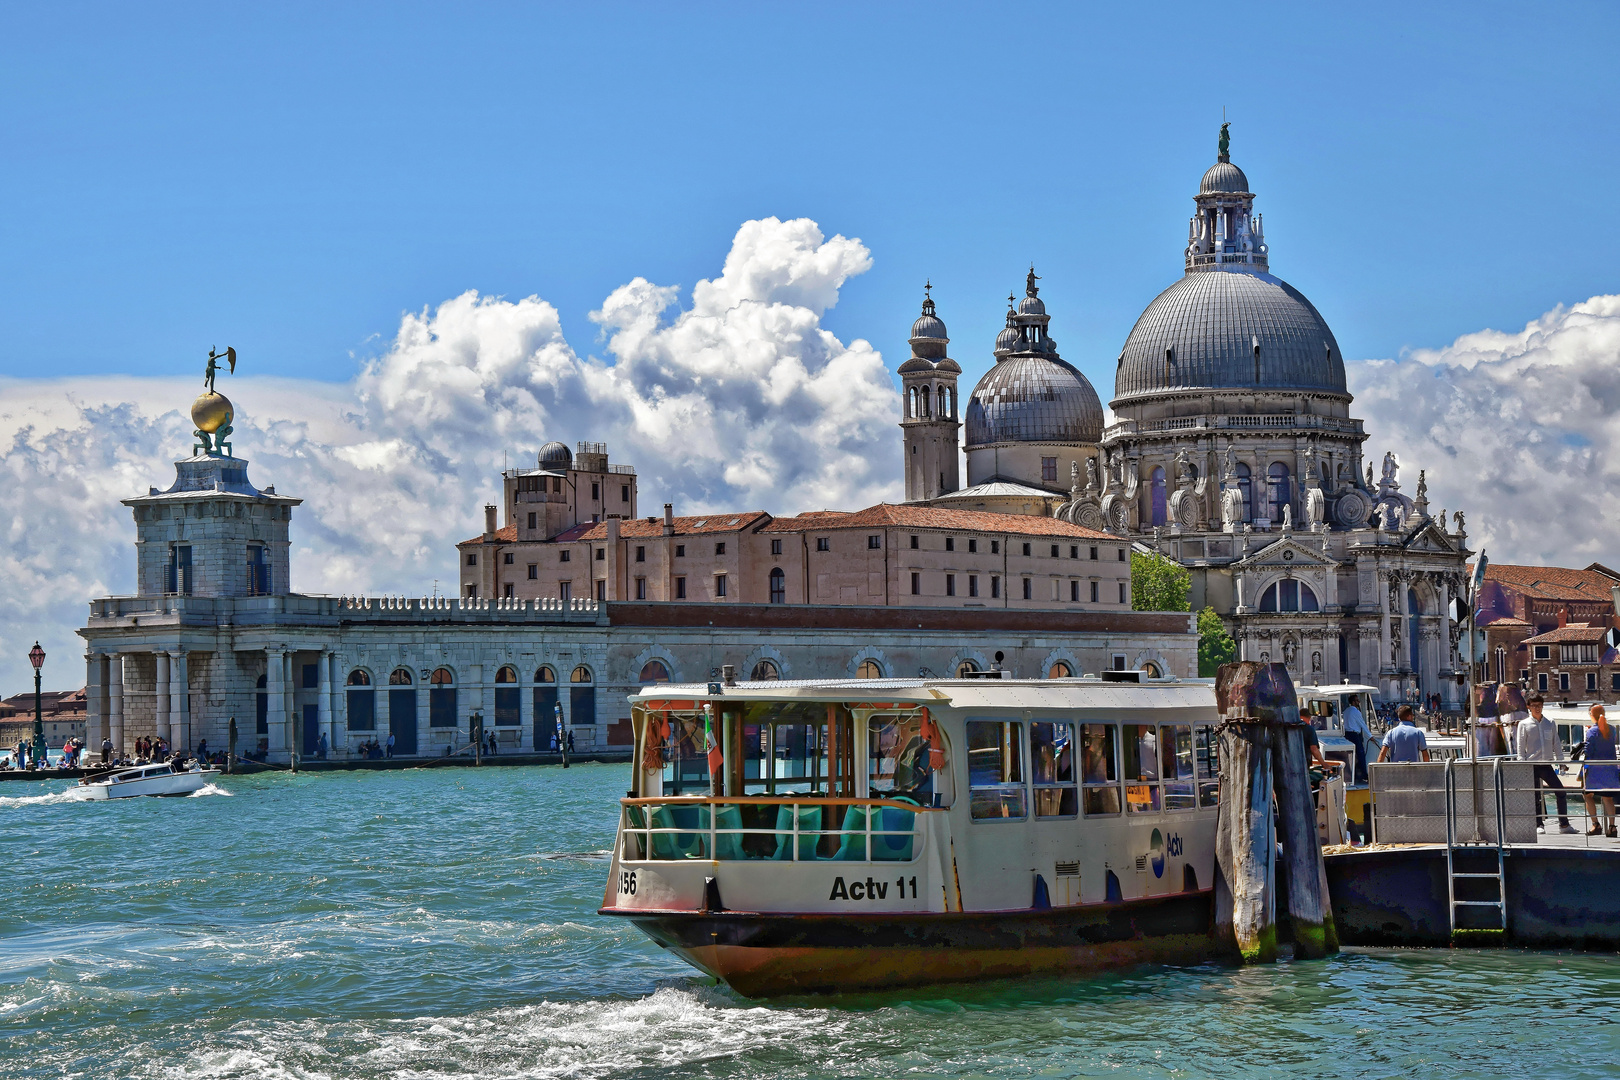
[(772, 828)]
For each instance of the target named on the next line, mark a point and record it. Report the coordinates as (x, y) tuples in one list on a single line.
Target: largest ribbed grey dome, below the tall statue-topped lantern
[(1230, 331)]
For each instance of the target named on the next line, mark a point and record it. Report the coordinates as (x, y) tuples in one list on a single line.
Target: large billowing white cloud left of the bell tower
[(738, 401)]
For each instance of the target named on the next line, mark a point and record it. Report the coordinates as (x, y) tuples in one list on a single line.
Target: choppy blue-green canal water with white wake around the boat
[(441, 924)]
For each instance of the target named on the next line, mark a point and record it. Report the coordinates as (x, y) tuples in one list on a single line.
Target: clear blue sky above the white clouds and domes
[(291, 179)]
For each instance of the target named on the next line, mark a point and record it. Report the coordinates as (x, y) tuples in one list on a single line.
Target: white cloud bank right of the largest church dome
[(1522, 430)]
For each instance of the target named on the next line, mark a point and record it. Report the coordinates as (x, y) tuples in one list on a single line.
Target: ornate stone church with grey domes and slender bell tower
[(1232, 451)]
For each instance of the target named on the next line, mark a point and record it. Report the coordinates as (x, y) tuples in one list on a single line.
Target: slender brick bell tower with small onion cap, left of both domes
[(931, 417)]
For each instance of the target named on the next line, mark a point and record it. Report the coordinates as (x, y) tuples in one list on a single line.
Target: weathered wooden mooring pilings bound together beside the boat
[(1266, 799)]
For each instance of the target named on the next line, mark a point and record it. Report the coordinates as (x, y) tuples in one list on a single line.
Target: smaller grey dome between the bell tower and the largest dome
[(1034, 399)]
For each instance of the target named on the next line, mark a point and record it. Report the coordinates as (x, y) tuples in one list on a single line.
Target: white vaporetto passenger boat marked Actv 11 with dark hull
[(864, 835)]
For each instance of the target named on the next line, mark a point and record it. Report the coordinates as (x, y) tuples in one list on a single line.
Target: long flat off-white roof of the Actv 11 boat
[(960, 694)]
